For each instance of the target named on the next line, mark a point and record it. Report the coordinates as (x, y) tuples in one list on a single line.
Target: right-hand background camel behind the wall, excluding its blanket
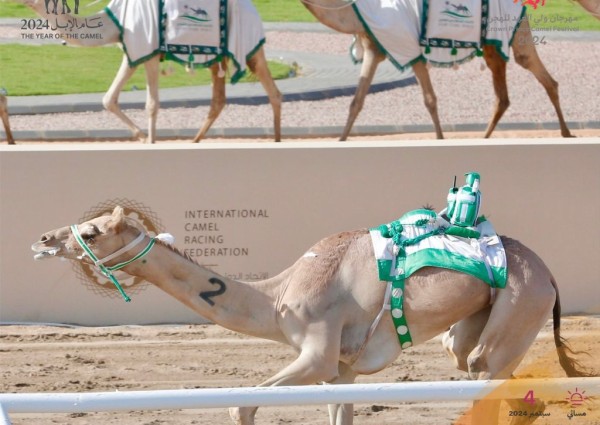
[(341, 17)]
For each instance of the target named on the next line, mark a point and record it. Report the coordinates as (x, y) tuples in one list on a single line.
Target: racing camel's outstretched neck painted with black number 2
[(246, 307)]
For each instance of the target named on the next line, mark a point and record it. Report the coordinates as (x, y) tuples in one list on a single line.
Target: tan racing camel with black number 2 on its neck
[(325, 304)]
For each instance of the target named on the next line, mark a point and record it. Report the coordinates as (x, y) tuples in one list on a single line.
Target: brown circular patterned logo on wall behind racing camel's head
[(89, 275)]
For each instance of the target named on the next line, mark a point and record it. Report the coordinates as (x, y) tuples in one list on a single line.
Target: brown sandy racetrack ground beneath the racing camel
[(39, 358)]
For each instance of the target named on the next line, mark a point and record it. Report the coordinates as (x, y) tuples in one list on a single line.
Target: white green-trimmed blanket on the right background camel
[(443, 33)]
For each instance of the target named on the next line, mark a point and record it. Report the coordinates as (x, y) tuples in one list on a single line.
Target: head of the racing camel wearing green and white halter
[(103, 236)]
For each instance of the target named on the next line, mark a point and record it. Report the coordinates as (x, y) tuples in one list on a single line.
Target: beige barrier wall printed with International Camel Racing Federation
[(249, 210)]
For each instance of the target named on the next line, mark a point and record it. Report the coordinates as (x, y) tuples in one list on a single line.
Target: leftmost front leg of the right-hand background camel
[(371, 59)]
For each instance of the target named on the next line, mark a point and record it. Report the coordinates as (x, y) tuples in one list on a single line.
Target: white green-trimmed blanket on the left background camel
[(192, 32)]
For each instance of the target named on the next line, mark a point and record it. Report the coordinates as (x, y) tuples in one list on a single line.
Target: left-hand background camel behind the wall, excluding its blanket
[(109, 34)]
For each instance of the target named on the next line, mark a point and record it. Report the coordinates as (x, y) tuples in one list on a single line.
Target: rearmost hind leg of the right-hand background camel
[(526, 55)]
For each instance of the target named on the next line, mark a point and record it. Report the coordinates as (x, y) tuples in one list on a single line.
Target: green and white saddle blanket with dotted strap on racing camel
[(422, 238)]
